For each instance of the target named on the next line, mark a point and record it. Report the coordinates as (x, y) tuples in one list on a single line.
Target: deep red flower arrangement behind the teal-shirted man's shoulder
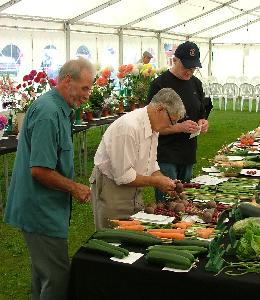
[(34, 85)]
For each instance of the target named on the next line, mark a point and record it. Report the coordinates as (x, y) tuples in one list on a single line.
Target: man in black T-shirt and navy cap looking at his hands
[(176, 152)]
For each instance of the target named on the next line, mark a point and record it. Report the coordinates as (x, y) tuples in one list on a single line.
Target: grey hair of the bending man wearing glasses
[(170, 100)]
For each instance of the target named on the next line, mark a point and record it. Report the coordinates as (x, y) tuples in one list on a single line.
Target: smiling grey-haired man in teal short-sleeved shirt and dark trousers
[(41, 185)]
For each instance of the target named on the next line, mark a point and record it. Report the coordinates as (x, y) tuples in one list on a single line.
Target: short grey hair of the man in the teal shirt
[(74, 67)]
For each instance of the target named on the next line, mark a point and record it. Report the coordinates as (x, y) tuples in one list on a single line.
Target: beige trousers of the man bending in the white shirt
[(112, 201)]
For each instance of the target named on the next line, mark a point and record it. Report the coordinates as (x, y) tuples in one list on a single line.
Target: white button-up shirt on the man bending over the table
[(128, 148)]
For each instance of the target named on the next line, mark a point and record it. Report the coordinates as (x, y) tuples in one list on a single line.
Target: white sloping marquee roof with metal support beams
[(218, 20)]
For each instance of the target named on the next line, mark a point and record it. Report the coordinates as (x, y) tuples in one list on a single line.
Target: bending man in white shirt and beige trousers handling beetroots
[(126, 159)]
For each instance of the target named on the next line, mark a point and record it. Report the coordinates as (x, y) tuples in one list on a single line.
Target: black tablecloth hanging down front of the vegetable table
[(94, 276)]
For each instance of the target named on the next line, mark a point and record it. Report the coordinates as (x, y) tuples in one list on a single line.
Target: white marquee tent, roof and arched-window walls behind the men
[(46, 33)]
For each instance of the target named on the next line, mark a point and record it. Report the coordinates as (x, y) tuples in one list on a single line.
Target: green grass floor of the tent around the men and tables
[(225, 127)]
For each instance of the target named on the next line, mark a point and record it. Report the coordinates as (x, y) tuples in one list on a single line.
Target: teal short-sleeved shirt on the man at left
[(45, 141)]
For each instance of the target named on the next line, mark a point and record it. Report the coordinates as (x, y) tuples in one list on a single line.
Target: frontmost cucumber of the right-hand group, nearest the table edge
[(164, 258)]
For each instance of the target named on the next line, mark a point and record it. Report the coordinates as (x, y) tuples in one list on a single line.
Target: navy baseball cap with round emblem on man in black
[(189, 54)]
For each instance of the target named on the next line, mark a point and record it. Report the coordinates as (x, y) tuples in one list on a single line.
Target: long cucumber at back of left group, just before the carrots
[(127, 236)]
